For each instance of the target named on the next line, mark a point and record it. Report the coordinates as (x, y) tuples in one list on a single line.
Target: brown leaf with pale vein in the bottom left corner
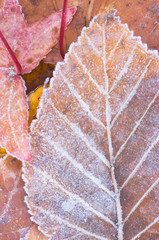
[(14, 218)]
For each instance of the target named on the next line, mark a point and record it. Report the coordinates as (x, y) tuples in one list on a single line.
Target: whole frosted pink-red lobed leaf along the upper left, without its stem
[(30, 43)]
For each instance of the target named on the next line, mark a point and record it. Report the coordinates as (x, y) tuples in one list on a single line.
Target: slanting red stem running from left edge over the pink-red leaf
[(16, 63)]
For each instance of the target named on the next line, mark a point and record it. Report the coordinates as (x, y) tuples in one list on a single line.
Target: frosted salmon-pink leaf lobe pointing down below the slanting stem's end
[(14, 117)]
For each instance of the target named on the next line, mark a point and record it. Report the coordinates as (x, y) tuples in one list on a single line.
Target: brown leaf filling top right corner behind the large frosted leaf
[(142, 17)]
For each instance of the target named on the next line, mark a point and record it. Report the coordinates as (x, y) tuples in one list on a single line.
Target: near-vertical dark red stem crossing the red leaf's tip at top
[(63, 27)]
